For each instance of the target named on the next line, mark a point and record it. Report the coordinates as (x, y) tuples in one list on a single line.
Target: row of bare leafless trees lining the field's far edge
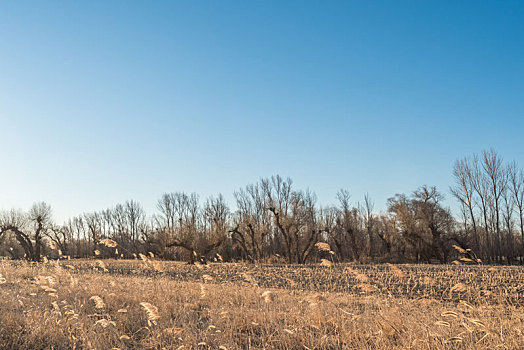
[(274, 222)]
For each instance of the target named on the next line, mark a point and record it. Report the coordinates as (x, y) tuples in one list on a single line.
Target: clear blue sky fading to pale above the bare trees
[(103, 101)]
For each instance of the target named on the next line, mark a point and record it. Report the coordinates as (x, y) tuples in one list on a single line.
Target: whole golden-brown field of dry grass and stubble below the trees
[(151, 304)]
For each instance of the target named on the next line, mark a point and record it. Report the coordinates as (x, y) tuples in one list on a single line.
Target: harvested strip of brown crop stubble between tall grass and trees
[(482, 284)]
